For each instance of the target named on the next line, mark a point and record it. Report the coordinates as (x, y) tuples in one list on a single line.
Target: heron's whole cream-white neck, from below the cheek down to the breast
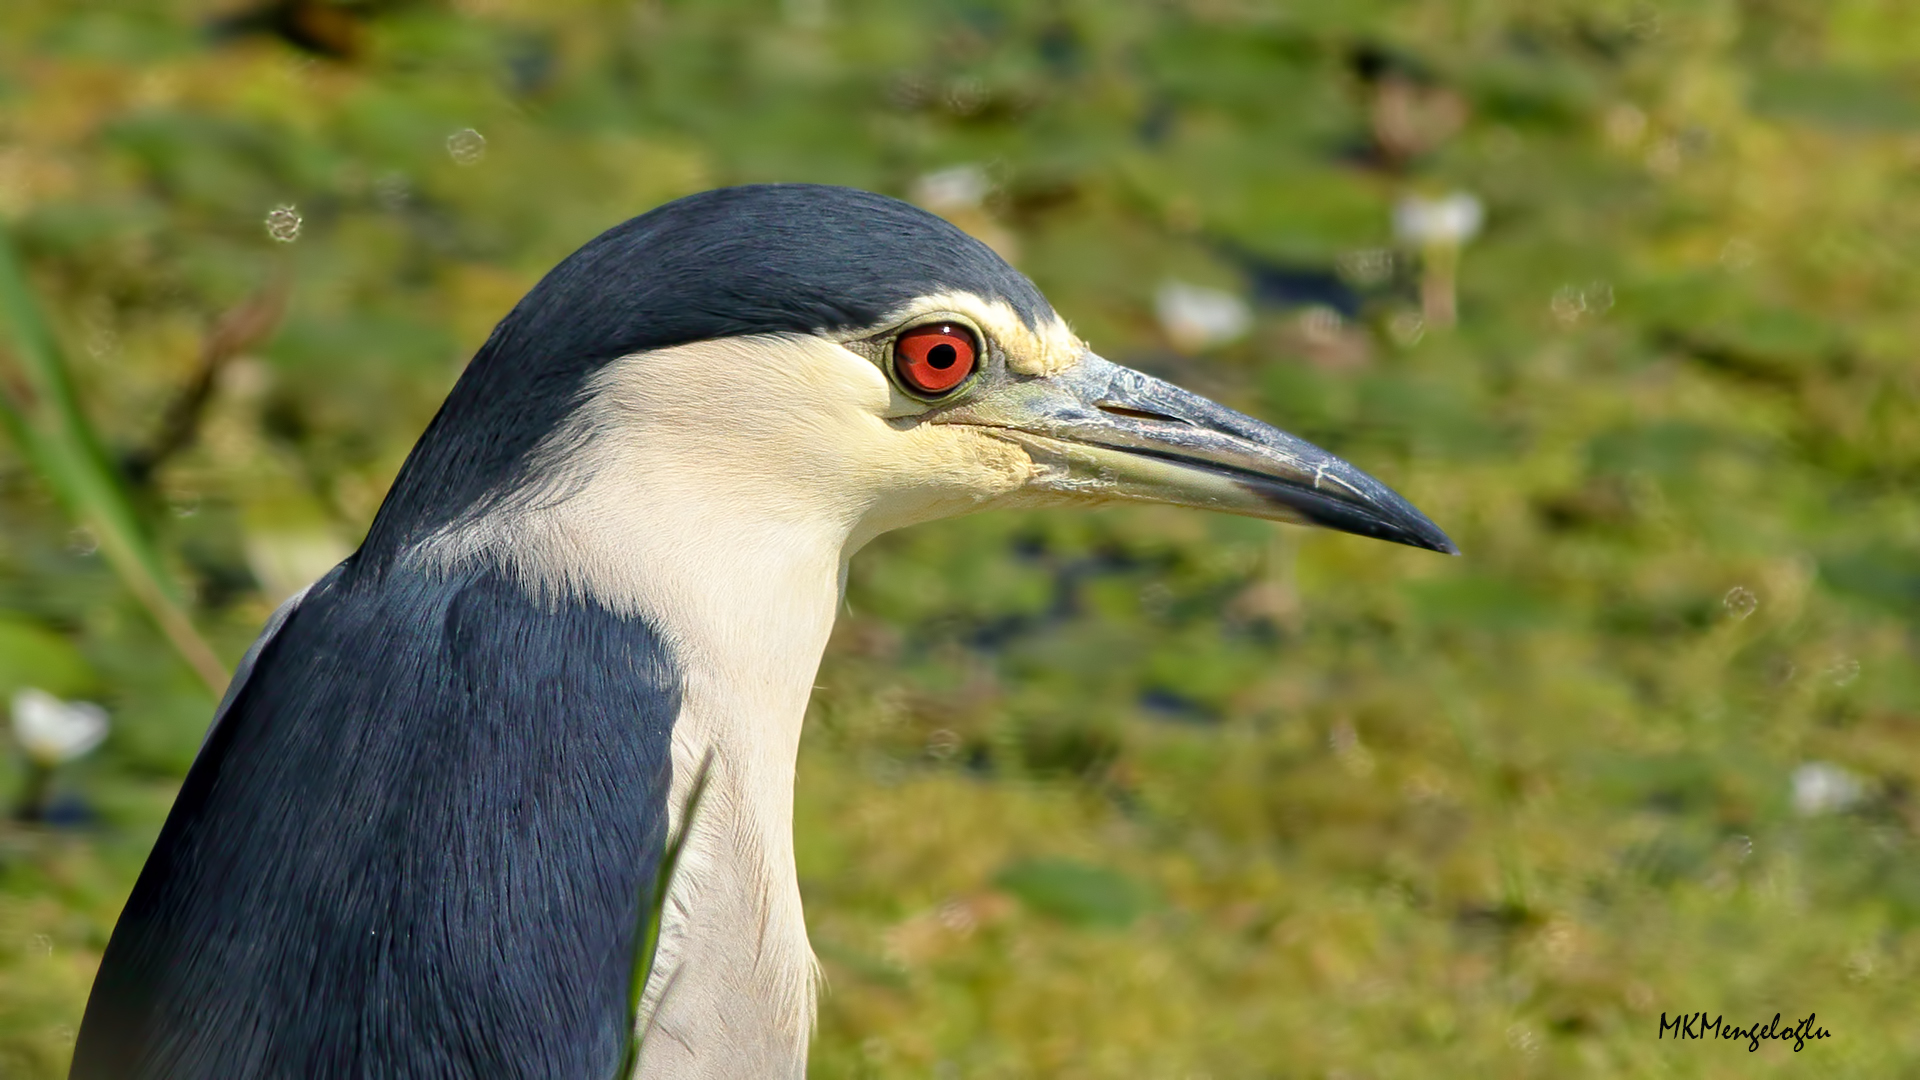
[(744, 606)]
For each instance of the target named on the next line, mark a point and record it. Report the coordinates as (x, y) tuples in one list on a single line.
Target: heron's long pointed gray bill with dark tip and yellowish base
[(1113, 433)]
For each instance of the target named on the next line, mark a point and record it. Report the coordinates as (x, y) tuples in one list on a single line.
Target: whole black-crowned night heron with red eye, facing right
[(418, 839)]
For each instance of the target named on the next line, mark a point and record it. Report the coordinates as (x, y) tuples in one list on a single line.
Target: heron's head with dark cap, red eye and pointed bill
[(828, 358)]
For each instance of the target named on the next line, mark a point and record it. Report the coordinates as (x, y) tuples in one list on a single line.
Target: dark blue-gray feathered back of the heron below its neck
[(414, 848)]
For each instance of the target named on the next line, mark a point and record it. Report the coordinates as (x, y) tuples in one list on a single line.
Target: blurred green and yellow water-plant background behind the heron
[(1136, 793)]
